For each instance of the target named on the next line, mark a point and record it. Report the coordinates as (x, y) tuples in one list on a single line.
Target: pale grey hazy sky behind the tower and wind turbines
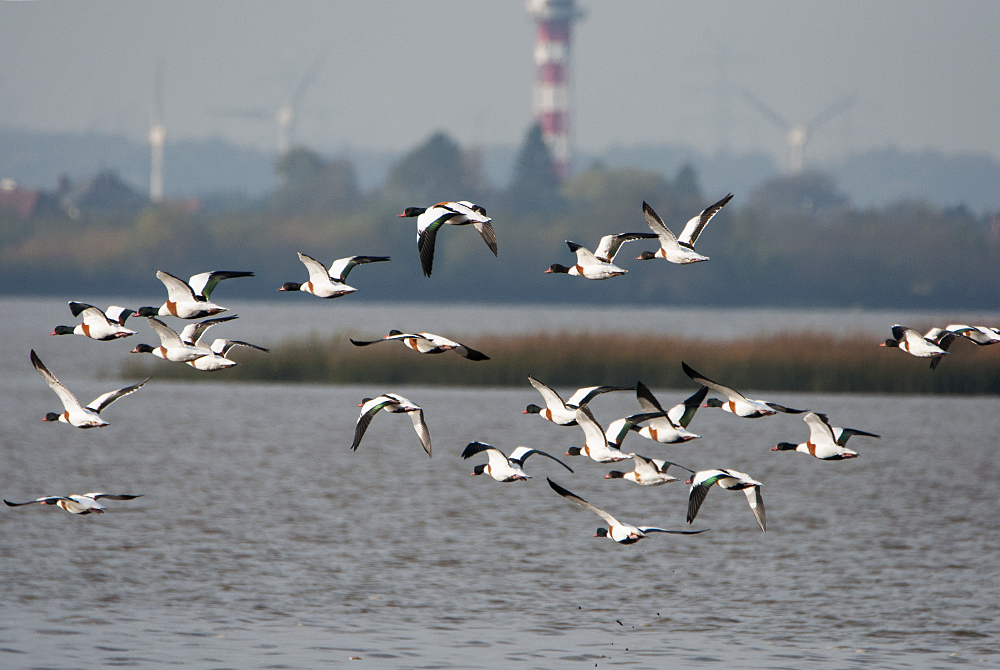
[(924, 72)]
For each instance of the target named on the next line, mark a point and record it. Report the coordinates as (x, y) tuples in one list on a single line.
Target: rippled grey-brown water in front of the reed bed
[(262, 541)]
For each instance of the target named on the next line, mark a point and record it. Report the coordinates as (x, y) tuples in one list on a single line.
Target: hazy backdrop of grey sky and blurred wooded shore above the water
[(413, 103)]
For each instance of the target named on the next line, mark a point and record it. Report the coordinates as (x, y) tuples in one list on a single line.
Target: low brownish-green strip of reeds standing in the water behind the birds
[(782, 362)]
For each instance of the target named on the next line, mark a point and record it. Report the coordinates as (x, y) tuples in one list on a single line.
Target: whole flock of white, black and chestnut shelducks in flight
[(191, 300)]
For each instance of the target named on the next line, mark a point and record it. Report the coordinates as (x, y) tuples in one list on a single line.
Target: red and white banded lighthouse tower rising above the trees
[(550, 99)]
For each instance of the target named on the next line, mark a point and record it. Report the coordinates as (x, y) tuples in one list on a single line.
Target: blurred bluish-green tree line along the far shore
[(792, 241)]
